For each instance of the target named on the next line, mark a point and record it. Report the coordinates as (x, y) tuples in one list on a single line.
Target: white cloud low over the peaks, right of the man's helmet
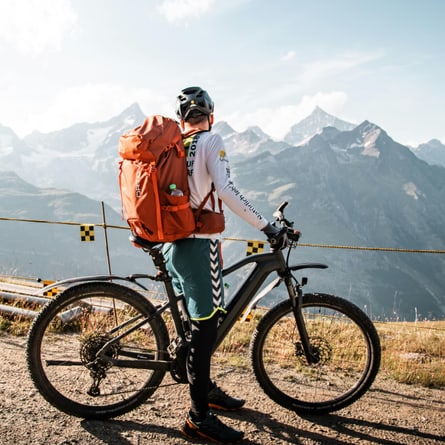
[(276, 121)]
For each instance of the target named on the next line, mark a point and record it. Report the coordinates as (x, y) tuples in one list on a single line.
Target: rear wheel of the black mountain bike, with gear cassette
[(66, 335)]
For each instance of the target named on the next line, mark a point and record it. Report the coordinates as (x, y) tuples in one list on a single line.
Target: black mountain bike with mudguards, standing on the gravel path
[(101, 348)]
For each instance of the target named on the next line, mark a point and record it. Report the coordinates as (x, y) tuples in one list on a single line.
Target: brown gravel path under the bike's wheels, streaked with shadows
[(388, 414)]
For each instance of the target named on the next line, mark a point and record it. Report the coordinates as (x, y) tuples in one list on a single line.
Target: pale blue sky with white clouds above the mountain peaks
[(264, 63)]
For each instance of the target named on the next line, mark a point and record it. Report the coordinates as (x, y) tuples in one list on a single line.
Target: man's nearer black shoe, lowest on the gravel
[(211, 428)]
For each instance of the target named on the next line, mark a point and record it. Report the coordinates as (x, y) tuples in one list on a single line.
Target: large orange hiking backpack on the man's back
[(153, 158)]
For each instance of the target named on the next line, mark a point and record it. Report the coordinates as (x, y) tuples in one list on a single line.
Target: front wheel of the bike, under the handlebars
[(340, 333)]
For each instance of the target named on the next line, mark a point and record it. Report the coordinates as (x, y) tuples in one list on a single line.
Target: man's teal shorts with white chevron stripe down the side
[(195, 267)]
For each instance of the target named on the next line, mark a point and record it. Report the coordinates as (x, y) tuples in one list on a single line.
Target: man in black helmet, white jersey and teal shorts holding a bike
[(195, 265)]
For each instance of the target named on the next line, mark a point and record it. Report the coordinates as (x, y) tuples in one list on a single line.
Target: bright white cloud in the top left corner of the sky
[(32, 26)]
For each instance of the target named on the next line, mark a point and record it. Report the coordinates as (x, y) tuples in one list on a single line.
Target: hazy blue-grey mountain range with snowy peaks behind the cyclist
[(346, 184)]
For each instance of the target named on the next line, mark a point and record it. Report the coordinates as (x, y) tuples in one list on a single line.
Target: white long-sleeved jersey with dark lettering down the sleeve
[(207, 162)]
